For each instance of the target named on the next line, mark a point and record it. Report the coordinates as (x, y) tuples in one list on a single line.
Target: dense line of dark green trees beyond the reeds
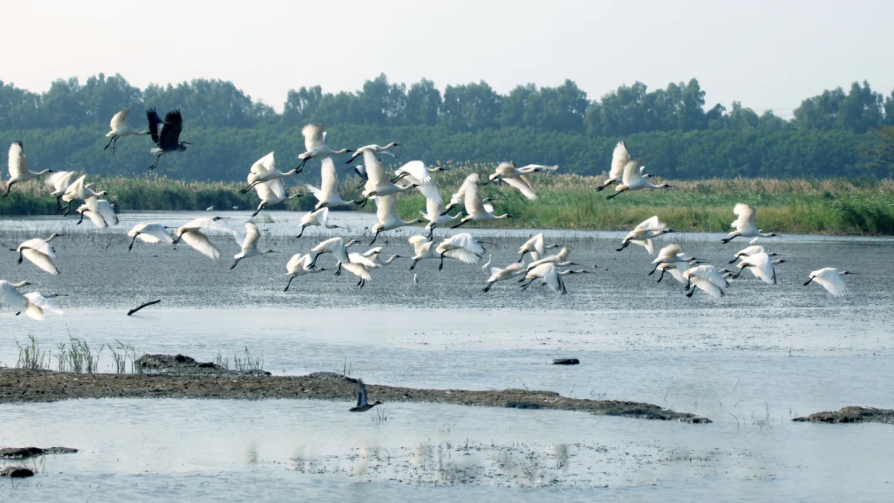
[(671, 129)]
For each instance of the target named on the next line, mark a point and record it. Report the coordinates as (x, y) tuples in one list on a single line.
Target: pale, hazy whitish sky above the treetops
[(767, 54)]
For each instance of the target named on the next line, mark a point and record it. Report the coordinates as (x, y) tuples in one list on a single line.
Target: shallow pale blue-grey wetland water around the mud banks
[(750, 362)]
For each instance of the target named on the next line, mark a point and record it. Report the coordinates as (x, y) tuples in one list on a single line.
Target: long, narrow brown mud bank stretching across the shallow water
[(182, 377)]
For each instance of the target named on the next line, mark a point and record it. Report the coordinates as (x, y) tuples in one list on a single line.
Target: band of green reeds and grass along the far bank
[(824, 206)]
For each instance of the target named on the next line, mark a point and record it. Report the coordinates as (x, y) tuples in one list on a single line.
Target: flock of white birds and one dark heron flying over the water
[(268, 183)]
